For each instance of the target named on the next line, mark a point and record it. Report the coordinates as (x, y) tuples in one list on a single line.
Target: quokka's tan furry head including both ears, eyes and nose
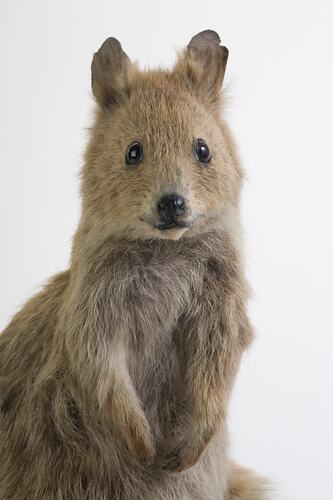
[(161, 161)]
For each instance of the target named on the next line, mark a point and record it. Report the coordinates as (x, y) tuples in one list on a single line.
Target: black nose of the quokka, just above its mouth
[(170, 207)]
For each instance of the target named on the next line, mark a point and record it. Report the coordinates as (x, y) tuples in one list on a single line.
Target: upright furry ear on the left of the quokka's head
[(110, 69)]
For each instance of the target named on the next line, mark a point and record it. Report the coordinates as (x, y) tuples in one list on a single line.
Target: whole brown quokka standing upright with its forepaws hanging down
[(115, 378)]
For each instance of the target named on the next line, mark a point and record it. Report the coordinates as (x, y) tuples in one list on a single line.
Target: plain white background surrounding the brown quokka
[(281, 85)]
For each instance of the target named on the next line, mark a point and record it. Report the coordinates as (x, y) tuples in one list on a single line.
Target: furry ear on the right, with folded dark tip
[(203, 63)]
